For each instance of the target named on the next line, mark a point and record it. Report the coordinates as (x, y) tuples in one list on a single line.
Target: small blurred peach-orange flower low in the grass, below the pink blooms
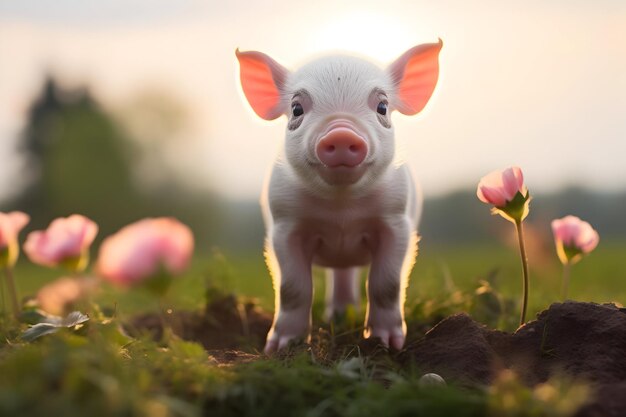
[(58, 296)]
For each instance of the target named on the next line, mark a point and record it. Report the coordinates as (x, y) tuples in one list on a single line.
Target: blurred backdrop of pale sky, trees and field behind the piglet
[(119, 116)]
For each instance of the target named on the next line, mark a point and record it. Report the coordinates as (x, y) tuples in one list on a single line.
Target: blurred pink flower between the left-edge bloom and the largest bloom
[(66, 241)]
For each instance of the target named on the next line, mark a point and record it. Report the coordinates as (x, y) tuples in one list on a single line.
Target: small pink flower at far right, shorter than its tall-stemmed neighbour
[(573, 238)]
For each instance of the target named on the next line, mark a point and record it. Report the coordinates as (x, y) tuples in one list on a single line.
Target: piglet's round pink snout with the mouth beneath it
[(341, 151)]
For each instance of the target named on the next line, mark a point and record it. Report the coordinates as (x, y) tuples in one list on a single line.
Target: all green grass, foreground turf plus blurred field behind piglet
[(98, 371)]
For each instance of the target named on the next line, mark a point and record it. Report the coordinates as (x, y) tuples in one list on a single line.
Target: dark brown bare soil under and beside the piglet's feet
[(580, 340)]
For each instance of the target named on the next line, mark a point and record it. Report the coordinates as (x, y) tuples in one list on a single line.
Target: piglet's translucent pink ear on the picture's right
[(415, 75)]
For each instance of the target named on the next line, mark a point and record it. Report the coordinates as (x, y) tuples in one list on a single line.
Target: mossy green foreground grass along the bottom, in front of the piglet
[(95, 371)]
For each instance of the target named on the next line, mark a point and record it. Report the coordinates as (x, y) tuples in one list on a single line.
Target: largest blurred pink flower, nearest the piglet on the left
[(145, 248)]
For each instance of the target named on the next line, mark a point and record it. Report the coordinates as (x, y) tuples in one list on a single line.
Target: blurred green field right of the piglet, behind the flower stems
[(601, 277)]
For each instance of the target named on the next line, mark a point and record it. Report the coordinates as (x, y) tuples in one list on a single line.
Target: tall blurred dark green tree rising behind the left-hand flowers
[(76, 161)]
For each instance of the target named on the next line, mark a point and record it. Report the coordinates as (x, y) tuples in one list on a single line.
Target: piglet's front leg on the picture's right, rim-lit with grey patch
[(393, 257)]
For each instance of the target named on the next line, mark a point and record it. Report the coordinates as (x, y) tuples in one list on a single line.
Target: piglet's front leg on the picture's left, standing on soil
[(290, 264)]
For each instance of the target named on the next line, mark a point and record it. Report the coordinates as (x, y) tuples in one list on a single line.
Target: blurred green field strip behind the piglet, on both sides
[(438, 272)]
